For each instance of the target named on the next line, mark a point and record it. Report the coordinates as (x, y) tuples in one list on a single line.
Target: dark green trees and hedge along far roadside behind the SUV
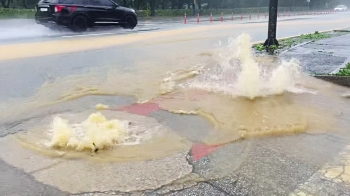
[(175, 8)]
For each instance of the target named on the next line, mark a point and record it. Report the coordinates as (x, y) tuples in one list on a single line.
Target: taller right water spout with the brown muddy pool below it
[(251, 109)]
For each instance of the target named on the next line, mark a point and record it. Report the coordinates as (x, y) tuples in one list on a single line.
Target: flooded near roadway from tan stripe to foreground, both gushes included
[(182, 110)]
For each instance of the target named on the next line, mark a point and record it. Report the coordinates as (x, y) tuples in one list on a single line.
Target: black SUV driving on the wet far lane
[(78, 15)]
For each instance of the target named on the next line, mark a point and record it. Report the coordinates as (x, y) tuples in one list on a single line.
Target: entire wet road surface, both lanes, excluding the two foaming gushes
[(44, 74)]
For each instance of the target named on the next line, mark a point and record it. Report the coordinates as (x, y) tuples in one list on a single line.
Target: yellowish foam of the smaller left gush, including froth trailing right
[(96, 132)]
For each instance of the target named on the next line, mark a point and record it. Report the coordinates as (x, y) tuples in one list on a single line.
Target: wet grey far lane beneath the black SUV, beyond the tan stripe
[(26, 30)]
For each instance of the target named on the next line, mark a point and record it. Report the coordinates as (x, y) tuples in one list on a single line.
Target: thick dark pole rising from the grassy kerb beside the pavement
[(271, 37)]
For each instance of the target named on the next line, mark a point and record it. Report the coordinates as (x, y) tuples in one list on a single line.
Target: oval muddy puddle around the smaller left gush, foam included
[(107, 136)]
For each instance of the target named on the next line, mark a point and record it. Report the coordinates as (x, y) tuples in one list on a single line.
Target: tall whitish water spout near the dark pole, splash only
[(239, 73)]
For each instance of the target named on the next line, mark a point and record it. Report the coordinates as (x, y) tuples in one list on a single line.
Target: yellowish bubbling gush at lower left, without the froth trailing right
[(94, 133)]
